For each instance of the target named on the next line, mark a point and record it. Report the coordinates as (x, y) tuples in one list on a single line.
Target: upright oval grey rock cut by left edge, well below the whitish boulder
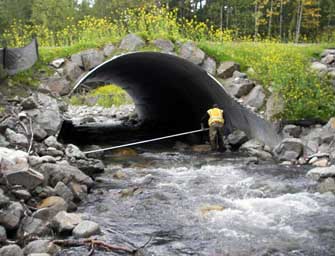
[(10, 217)]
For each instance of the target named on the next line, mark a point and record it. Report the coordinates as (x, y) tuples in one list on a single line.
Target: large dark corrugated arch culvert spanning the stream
[(171, 95)]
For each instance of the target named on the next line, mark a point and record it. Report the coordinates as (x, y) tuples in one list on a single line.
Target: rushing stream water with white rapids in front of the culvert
[(210, 204)]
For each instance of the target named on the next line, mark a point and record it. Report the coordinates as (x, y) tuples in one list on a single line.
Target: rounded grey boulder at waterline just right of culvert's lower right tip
[(289, 149)]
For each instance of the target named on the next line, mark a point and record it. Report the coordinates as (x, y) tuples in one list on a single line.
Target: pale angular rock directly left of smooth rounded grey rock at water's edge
[(65, 222)]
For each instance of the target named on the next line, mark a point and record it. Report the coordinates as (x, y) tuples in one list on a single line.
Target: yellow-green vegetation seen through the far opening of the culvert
[(105, 96)]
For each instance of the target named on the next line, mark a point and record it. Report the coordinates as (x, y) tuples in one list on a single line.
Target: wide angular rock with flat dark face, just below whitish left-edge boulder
[(30, 179)]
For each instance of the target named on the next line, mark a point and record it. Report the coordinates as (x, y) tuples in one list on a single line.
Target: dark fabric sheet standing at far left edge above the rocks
[(14, 60)]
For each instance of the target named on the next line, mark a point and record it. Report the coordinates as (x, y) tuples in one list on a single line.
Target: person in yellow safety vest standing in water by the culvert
[(215, 117)]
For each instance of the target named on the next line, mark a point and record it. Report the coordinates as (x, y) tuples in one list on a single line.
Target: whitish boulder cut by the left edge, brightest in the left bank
[(13, 160)]
